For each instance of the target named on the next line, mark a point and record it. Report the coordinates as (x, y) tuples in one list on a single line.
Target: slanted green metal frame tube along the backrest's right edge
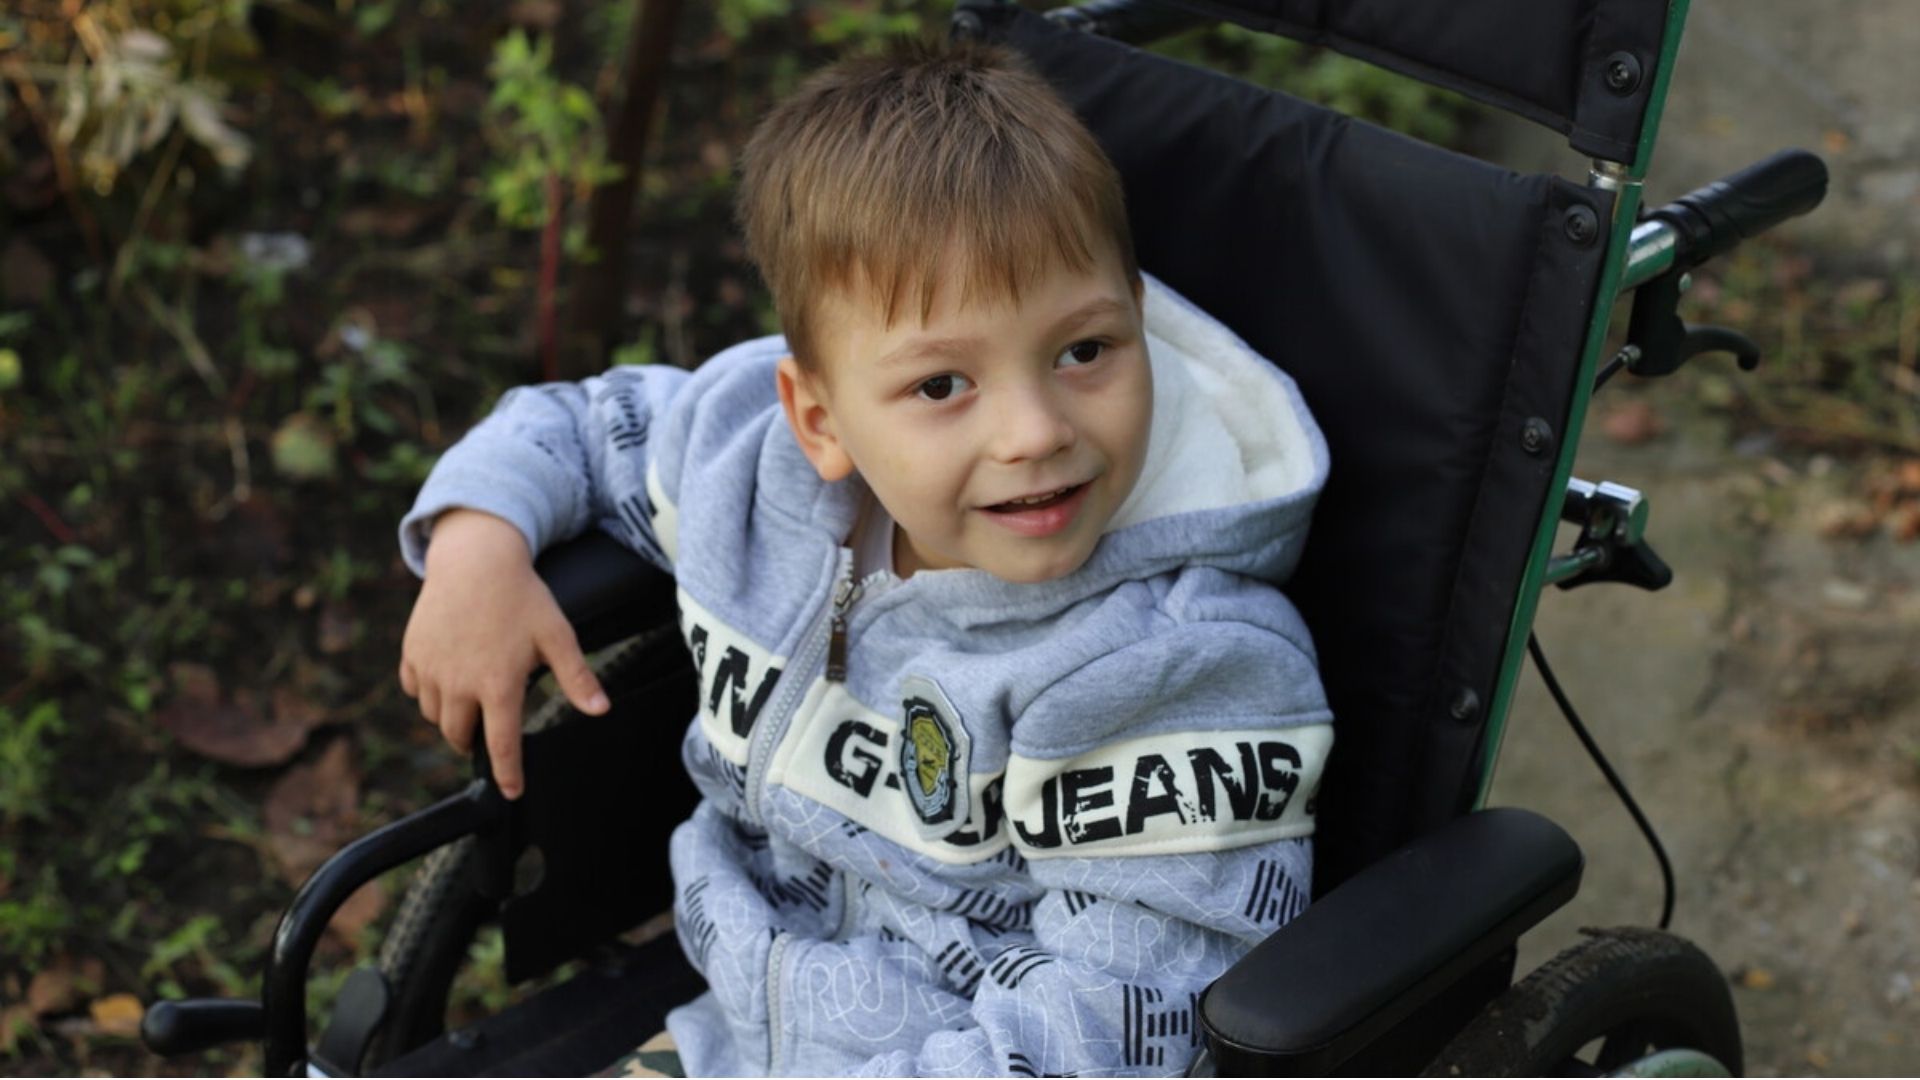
[(1625, 268)]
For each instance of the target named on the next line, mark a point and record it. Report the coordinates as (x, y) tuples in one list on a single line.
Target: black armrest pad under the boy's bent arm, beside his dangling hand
[(606, 589)]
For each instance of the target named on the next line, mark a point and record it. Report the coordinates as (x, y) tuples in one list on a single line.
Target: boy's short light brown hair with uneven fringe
[(880, 166)]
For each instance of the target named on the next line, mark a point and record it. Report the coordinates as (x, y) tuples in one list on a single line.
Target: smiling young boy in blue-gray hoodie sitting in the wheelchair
[(1007, 741)]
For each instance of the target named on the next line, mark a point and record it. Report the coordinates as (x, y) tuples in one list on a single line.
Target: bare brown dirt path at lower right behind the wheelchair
[(1765, 710)]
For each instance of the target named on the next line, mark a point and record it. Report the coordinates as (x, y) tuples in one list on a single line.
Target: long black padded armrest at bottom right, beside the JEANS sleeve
[(1387, 943)]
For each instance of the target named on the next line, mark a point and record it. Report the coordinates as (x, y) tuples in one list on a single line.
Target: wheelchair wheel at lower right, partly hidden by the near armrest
[(1602, 1006)]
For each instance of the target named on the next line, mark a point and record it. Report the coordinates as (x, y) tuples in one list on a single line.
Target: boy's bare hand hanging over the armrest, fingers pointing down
[(483, 624)]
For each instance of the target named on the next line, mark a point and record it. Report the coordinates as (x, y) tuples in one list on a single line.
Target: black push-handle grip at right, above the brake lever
[(1719, 216)]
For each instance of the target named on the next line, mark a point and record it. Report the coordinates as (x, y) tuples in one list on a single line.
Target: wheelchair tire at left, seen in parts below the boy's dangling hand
[(443, 912)]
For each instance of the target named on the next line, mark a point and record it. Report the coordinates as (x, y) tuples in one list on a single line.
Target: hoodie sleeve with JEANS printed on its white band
[(1163, 798)]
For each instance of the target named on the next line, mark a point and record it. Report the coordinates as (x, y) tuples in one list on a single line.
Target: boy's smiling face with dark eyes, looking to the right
[(999, 437)]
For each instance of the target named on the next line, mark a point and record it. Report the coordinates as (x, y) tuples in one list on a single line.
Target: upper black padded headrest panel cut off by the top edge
[(1583, 68)]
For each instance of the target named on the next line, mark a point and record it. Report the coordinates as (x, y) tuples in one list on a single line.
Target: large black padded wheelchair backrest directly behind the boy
[(1431, 308)]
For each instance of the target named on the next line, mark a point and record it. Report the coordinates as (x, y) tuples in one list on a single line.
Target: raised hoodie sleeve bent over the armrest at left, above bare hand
[(556, 458)]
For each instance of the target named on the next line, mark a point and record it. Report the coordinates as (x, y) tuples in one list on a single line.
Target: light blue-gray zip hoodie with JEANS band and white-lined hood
[(1032, 822)]
